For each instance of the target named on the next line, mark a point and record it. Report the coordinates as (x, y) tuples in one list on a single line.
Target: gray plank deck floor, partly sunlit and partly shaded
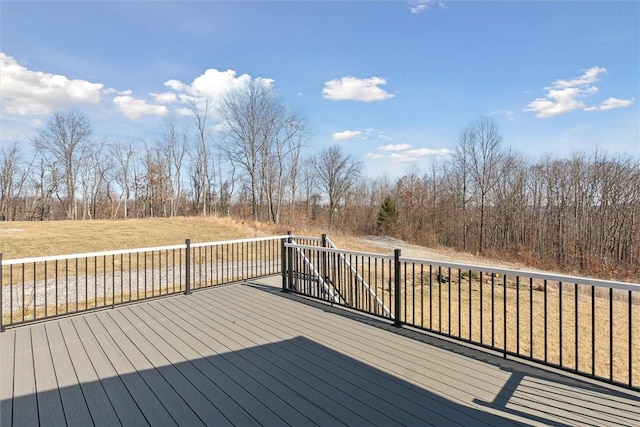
[(247, 354)]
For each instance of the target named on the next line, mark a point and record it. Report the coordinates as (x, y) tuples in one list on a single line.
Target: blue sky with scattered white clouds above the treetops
[(393, 83)]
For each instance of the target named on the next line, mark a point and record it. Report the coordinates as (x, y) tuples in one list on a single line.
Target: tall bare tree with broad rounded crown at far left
[(63, 141)]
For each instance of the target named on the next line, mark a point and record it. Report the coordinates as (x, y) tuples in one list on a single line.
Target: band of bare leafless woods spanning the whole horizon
[(580, 214)]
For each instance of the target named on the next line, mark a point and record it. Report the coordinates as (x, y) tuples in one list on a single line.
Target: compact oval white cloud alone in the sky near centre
[(355, 89)]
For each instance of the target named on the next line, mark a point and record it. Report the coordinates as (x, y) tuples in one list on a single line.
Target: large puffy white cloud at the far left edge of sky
[(26, 92)]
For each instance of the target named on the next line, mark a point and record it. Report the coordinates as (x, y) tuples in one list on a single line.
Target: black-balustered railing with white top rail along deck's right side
[(586, 326)]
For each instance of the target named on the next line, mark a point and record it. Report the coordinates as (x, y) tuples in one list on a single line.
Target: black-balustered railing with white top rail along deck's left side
[(45, 287)]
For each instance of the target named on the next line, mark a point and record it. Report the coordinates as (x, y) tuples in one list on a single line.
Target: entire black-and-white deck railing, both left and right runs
[(586, 326)]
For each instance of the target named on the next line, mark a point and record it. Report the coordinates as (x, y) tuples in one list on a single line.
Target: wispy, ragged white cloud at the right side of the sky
[(567, 95)]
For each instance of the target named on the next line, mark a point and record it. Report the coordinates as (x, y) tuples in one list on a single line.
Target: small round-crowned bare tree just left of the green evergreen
[(337, 172)]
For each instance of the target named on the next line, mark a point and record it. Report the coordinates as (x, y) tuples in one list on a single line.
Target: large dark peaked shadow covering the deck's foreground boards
[(294, 382)]
